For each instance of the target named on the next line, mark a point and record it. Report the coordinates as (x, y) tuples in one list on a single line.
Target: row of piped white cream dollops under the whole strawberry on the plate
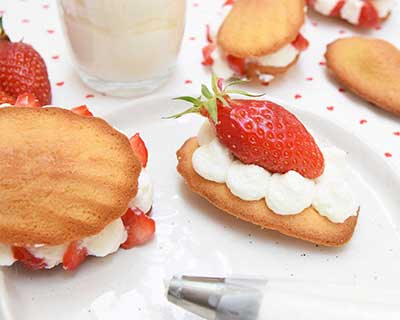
[(285, 194)]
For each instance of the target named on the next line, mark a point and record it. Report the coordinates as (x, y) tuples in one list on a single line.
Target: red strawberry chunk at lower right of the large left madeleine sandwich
[(139, 226)]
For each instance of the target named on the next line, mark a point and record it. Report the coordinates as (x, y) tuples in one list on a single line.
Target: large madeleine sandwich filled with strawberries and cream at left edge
[(71, 186)]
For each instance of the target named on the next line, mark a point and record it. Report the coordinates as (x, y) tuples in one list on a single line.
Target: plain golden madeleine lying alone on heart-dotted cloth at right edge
[(368, 67)]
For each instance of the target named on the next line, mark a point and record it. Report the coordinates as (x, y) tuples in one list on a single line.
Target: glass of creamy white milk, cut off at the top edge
[(123, 47)]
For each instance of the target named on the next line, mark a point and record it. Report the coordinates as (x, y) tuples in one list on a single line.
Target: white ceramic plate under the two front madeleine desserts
[(195, 238)]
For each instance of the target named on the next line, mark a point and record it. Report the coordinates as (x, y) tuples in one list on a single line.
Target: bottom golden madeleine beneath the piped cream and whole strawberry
[(309, 225)]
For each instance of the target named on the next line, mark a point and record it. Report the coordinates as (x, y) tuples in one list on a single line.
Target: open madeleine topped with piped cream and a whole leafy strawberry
[(256, 161)]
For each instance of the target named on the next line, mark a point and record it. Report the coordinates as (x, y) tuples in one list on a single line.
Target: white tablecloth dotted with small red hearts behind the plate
[(307, 85)]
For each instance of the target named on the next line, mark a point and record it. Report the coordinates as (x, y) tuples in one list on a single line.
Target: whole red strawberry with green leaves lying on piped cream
[(259, 132)]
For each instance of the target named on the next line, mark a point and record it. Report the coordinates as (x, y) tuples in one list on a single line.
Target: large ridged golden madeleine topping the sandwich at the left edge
[(63, 177)]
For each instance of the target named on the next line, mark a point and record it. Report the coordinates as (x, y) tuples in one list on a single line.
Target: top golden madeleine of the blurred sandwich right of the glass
[(255, 28)]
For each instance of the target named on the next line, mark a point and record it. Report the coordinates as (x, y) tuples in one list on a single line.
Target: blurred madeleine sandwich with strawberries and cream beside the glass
[(255, 39)]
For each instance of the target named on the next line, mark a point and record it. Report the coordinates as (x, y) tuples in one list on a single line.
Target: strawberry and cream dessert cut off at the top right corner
[(362, 13)]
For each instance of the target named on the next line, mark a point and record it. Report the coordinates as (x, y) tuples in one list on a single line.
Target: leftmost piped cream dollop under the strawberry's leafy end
[(212, 161)]
